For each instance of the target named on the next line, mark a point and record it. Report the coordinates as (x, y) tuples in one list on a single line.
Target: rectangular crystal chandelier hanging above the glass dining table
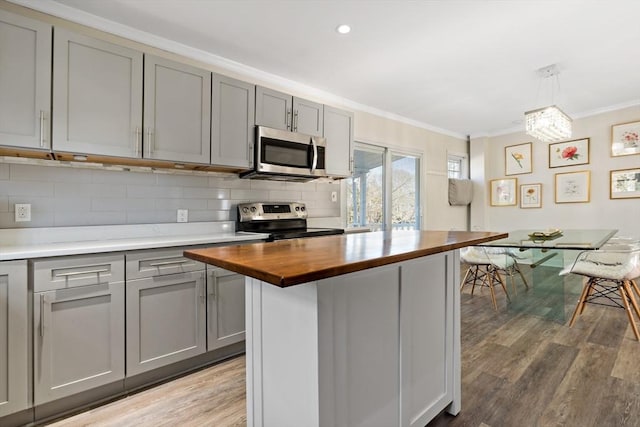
[(548, 124)]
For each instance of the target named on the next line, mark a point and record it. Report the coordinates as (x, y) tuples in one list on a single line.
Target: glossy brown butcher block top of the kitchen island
[(291, 262)]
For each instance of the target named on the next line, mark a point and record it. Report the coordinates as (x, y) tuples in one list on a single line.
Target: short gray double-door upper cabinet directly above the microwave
[(282, 111)]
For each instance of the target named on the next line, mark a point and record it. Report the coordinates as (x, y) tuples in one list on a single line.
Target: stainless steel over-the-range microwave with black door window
[(287, 156)]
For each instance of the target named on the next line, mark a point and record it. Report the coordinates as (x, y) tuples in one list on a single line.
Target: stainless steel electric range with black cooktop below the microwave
[(286, 220)]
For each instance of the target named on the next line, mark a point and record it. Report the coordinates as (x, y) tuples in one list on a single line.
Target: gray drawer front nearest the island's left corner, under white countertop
[(141, 264)]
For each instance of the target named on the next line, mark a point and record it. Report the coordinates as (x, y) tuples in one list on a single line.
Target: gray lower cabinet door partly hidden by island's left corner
[(225, 308)]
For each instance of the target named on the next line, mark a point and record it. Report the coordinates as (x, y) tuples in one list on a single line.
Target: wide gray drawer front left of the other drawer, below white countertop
[(73, 271)]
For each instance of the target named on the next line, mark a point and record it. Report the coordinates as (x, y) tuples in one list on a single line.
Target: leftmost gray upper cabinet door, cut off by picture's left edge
[(25, 82)]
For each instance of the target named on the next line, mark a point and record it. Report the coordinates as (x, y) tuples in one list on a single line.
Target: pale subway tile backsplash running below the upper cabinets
[(69, 196)]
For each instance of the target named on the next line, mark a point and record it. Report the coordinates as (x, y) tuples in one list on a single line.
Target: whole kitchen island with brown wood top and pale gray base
[(360, 329)]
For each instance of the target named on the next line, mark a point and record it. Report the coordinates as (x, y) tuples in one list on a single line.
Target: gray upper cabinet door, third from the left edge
[(177, 111)]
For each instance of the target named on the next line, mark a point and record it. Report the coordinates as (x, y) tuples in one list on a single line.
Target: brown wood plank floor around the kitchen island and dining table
[(518, 369)]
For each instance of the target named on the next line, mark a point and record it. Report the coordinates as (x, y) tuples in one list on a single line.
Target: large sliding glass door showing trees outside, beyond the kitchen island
[(384, 191)]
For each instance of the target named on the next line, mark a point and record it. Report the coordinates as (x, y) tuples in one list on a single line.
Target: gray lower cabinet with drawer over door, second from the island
[(166, 309)]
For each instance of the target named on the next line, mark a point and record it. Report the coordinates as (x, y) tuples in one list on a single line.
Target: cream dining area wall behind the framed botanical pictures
[(600, 212)]
